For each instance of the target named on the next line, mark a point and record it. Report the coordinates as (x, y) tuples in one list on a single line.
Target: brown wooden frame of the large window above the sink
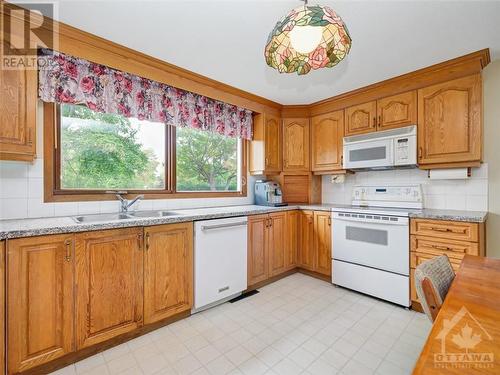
[(54, 193)]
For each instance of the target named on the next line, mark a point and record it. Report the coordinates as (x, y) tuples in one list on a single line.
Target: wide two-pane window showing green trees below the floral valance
[(98, 152)]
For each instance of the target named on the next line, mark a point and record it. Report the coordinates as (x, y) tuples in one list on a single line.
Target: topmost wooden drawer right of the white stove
[(446, 229)]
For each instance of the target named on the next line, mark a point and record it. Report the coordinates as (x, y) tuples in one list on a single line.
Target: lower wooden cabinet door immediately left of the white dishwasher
[(168, 270)]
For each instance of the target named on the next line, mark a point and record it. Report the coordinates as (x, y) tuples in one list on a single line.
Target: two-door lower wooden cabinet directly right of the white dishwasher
[(271, 246)]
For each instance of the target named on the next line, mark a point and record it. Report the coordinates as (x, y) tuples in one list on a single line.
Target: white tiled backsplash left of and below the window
[(21, 192)]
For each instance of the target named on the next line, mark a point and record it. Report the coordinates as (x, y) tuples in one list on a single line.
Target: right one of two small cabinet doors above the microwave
[(397, 111)]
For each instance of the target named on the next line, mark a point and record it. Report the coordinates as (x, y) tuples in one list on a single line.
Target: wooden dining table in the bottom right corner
[(465, 337)]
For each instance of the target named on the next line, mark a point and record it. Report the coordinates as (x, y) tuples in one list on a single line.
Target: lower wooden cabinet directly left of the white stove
[(315, 252)]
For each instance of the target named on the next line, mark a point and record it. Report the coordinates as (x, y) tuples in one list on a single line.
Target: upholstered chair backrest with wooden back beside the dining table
[(432, 282)]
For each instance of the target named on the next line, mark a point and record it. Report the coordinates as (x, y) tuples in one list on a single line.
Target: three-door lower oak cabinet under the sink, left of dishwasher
[(69, 292)]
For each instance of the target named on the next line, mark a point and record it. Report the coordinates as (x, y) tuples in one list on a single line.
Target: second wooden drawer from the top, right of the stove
[(437, 246)]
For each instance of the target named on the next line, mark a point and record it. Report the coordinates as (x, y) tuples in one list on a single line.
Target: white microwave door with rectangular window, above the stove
[(369, 154)]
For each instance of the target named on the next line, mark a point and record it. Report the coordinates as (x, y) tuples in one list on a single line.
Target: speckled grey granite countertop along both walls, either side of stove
[(57, 225)]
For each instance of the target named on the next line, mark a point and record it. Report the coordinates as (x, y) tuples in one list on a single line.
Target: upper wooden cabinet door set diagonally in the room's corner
[(296, 144)]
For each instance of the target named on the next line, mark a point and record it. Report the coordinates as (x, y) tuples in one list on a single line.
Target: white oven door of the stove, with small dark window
[(381, 242)]
